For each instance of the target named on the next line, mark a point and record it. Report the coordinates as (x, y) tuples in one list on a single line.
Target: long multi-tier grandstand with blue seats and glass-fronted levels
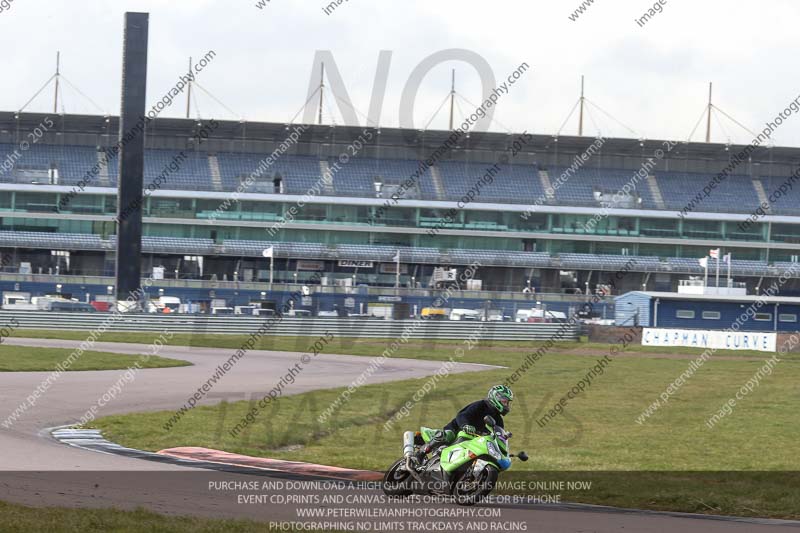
[(551, 245)]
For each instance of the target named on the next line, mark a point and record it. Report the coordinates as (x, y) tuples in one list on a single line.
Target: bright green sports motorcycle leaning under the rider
[(467, 469)]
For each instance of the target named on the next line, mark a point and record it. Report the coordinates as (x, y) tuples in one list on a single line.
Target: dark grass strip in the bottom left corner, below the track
[(22, 519)]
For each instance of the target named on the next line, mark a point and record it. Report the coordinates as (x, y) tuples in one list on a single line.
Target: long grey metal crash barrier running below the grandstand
[(307, 327)]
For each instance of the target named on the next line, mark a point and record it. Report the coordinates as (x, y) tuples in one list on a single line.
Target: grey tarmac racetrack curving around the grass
[(35, 469)]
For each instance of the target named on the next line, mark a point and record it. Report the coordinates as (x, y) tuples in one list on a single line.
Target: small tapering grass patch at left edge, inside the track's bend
[(26, 359)]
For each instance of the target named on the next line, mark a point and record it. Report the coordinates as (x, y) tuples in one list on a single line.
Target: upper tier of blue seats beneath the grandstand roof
[(449, 180)]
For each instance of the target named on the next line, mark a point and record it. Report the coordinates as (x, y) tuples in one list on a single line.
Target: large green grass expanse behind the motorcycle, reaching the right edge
[(597, 432)]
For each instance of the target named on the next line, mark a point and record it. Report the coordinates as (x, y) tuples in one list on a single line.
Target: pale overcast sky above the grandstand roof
[(653, 79)]
